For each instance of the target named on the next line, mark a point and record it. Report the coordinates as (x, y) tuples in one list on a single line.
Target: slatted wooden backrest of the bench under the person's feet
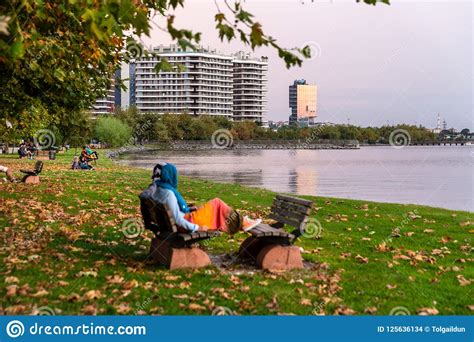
[(291, 211)]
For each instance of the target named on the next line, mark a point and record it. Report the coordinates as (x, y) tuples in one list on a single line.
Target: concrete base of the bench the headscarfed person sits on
[(162, 253)]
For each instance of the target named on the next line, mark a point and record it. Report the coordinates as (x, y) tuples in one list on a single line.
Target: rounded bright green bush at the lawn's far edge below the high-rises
[(112, 131)]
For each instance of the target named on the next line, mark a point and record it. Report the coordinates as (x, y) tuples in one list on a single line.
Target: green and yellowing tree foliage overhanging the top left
[(57, 57)]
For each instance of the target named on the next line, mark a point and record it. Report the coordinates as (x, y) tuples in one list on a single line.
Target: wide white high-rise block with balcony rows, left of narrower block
[(203, 87)]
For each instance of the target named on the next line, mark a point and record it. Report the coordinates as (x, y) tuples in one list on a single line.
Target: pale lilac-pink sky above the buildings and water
[(373, 65)]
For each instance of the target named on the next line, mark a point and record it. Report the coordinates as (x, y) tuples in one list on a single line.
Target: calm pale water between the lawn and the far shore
[(435, 176)]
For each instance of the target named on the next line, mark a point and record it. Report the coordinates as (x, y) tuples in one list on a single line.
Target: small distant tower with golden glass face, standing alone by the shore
[(303, 101)]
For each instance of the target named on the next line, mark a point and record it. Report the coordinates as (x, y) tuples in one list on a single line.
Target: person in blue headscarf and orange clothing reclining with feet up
[(214, 215)]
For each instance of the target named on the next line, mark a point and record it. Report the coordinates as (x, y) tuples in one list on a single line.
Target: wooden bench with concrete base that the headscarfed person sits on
[(170, 247)]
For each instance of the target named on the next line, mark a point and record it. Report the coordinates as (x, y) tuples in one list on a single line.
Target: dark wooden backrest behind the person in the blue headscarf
[(156, 216)]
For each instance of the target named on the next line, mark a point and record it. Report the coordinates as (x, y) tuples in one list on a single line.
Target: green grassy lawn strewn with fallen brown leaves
[(63, 250)]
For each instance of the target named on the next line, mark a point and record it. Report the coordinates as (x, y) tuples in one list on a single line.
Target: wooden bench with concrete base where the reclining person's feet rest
[(270, 246)]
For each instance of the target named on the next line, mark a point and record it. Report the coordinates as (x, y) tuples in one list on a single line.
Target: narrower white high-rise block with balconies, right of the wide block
[(249, 87)]
